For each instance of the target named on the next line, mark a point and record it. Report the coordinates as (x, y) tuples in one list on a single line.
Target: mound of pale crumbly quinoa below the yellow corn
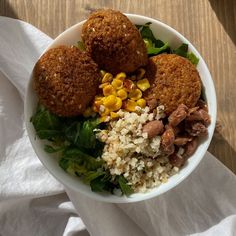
[(129, 152)]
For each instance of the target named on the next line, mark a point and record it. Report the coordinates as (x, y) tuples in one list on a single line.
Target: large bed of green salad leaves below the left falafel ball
[(74, 139)]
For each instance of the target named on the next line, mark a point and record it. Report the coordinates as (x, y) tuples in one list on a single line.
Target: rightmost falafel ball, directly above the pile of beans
[(174, 80)]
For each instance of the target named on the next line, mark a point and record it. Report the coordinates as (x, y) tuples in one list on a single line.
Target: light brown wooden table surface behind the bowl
[(209, 24)]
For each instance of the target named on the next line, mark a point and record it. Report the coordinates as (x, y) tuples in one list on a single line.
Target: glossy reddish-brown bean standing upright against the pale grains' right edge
[(167, 140)]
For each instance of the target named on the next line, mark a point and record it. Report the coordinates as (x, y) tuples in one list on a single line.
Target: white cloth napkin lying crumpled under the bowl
[(32, 202)]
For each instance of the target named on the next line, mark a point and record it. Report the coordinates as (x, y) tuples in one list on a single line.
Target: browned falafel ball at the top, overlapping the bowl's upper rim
[(114, 42)]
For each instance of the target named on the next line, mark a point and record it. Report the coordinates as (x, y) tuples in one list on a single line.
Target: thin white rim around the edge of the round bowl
[(146, 195)]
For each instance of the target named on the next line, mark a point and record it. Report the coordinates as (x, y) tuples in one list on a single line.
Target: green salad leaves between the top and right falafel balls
[(156, 46)]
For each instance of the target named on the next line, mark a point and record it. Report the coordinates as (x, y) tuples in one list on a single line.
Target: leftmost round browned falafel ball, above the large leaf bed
[(66, 80)]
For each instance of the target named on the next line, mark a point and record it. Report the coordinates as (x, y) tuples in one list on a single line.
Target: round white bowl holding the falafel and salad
[(167, 34)]
